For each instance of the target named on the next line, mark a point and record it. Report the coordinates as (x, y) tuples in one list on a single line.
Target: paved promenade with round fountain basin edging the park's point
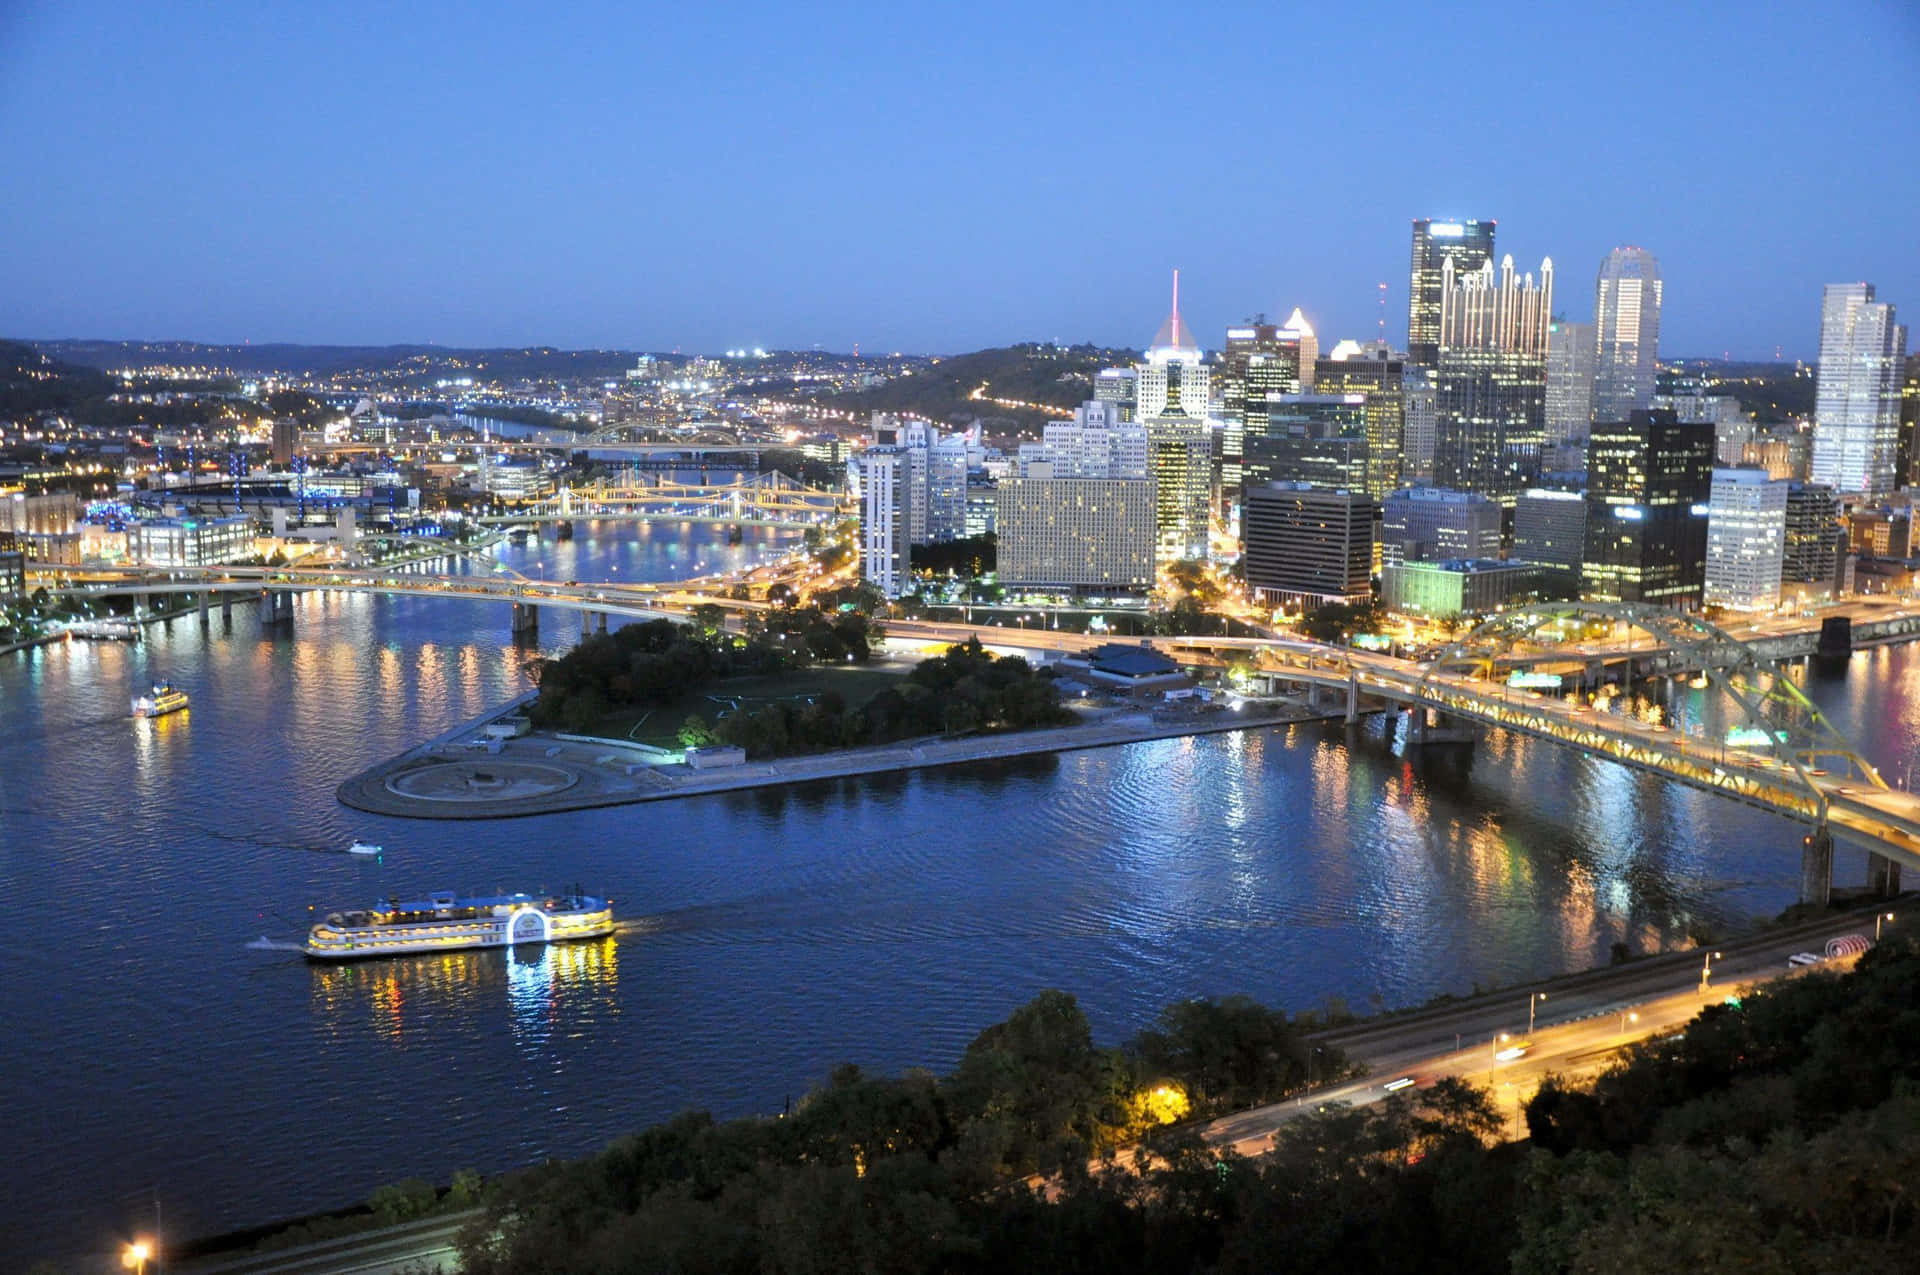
[(460, 777)]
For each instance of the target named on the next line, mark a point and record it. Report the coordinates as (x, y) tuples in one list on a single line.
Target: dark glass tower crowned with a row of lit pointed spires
[(1493, 379)]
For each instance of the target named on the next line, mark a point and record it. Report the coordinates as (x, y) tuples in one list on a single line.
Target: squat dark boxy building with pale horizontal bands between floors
[(1307, 544)]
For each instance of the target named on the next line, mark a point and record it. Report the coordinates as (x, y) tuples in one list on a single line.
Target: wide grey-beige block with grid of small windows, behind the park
[(1082, 535)]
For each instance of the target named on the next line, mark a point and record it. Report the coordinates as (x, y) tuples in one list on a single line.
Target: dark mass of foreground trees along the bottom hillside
[(1777, 1134)]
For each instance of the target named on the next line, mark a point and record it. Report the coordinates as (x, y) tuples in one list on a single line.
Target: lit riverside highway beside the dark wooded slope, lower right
[(1579, 1028)]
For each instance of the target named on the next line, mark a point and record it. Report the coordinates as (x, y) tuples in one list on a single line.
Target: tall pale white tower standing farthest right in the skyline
[(1858, 397)]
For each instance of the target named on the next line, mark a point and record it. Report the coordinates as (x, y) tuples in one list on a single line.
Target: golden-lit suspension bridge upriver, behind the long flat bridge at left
[(767, 500)]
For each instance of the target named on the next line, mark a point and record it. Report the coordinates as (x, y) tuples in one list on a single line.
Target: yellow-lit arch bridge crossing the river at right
[(1781, 756)]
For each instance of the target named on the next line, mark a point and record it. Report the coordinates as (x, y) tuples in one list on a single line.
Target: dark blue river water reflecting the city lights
[(880, 921)]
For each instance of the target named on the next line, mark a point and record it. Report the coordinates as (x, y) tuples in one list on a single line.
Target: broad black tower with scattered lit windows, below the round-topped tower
[(1646, 510)]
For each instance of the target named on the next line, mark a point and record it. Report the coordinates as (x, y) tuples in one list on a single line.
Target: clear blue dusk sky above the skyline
[(932, 178)]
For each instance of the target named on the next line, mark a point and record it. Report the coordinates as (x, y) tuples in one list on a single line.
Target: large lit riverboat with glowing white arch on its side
[(448, 925)]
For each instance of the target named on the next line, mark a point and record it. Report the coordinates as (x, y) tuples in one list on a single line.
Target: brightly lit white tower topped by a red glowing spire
[(1180, 445)]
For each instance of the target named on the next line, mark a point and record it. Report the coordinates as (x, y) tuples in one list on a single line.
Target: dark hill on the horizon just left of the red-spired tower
[(1022, 383)]
